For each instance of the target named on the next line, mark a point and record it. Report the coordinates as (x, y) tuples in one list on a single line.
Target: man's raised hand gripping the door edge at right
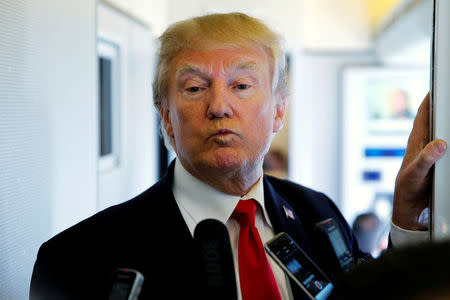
[(413, 184)]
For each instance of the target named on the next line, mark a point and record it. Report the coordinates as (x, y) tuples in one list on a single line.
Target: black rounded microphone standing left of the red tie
[(217, 268)]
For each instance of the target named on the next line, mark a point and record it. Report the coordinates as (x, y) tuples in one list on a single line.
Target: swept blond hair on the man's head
[(233, 29)]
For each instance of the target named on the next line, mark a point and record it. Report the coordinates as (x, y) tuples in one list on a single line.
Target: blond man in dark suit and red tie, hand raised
[(220, 89)]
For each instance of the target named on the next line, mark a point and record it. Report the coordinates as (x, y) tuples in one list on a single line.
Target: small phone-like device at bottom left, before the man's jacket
[(126, 284)]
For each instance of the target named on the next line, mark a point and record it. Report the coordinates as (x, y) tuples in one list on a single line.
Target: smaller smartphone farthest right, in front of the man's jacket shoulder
[(332, 235)]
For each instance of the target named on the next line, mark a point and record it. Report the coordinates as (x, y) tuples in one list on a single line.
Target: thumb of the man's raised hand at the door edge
[(432, 152)]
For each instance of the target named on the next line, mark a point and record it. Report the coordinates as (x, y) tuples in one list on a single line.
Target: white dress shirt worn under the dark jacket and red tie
[(199, 201)]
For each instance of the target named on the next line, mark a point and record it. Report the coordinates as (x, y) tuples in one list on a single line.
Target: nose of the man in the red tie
[(219, 102)]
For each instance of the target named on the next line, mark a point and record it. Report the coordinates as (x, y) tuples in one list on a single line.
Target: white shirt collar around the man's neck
[(202, 201)]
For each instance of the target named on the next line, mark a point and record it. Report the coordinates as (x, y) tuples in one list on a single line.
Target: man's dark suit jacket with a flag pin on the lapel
[(148, 233)]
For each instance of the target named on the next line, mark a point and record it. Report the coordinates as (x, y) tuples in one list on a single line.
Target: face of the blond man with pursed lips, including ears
[(221, 113)]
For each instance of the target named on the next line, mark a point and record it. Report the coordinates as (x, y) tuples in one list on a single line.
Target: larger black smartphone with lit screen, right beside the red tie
[(299, 266)]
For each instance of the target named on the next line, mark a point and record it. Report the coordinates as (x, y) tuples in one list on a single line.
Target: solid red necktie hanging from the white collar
[(256, 277)]
